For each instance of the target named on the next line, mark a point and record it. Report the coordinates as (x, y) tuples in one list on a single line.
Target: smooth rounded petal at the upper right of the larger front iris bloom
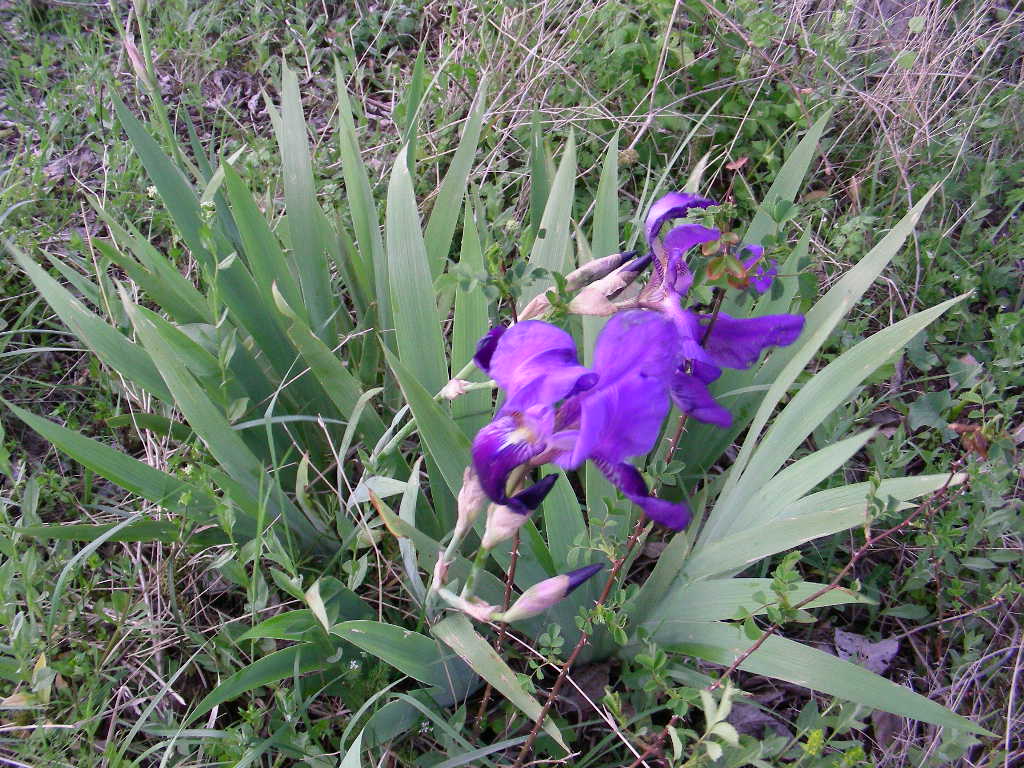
[(636, 343)]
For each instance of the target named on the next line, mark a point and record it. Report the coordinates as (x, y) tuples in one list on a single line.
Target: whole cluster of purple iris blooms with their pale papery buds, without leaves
[(653, 352)]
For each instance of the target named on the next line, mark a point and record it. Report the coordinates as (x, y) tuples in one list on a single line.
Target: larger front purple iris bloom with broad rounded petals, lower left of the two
[(559, 411)]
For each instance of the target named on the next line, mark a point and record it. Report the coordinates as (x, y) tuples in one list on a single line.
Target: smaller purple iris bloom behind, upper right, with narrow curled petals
[(732, 343)]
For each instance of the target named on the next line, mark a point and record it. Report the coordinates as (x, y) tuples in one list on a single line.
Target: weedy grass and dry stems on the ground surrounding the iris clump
[(106, 648)]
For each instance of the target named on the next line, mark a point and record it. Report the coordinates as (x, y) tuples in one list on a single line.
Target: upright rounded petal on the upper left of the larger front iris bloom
[(540, 361)]
